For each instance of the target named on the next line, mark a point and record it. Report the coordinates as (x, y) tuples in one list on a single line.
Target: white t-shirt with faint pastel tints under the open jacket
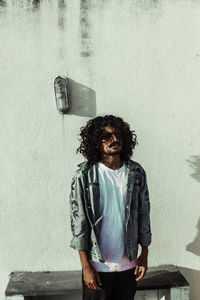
[(113, 190)]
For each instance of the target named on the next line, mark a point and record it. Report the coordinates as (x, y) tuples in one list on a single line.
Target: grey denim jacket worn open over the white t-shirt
[(86, 217)]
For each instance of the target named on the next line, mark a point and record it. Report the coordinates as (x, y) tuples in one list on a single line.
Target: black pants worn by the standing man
[(115, 286)]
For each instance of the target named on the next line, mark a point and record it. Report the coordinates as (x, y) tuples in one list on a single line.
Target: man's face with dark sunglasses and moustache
[(111, 141)]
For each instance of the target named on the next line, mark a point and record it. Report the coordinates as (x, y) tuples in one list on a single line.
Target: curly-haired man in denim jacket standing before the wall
[(110, 209)]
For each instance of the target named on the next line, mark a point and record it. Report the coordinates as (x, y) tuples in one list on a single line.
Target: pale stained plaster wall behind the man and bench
[(142, 59)]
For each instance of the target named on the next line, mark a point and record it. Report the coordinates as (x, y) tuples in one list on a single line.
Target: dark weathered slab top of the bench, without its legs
[(69, 282)]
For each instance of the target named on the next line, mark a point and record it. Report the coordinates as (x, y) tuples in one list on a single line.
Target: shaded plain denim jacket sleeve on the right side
[(144, 227)]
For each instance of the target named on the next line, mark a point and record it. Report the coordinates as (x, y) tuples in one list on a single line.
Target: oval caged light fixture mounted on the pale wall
[(62, 94)]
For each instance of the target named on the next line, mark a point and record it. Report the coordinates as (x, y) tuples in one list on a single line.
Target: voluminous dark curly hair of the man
[(91, 137)]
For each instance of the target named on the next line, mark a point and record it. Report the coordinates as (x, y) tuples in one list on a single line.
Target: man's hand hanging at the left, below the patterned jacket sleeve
[(91, 278)]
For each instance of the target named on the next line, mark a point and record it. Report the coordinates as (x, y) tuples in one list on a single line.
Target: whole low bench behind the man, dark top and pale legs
[(160, 283)]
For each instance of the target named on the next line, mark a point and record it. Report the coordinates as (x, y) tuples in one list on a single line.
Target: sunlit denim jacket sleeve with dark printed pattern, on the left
[(79, 221)]
